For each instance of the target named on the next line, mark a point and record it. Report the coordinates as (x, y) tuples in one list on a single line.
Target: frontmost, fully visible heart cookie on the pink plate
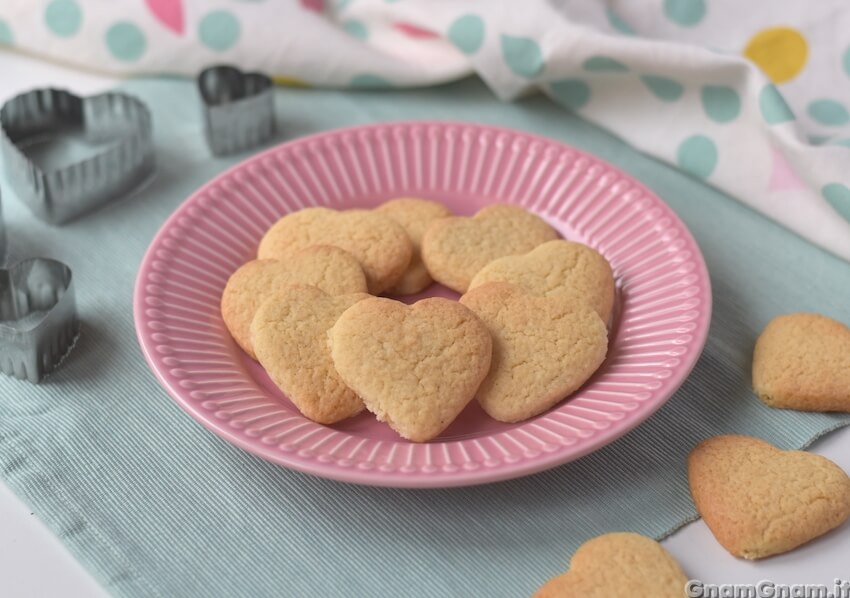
[(415, 367)]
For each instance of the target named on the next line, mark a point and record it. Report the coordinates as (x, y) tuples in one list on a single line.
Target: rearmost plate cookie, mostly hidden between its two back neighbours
[(415, 216)]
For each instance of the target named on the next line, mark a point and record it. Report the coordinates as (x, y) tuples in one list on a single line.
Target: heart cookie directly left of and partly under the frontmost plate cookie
[(289, 334)]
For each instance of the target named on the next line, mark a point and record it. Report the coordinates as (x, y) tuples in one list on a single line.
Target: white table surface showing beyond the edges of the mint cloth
[(33, 563)]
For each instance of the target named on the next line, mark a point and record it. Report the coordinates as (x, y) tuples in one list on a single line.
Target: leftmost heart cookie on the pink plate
[(329, 268)]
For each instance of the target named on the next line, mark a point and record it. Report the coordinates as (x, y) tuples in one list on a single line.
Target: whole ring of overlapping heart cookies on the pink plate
[(529, 329)]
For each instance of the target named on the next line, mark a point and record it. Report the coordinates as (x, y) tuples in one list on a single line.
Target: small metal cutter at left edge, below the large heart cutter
[(38, 318)]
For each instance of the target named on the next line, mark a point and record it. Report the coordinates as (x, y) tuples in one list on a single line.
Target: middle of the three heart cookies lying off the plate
[(758, 500)]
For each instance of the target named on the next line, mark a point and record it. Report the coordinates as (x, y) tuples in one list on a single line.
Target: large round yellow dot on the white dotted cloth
[(781, 52)]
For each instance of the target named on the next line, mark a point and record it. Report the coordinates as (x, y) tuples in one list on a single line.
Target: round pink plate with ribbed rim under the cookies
[(660, 328)]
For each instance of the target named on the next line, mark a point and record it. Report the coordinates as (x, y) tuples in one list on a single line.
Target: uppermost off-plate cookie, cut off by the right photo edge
[(802, 361)]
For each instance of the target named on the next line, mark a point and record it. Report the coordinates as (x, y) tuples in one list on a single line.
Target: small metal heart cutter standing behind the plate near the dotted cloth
[(239, 109)]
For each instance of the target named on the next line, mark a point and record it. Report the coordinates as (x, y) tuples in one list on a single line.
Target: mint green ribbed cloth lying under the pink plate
[(154, 505)]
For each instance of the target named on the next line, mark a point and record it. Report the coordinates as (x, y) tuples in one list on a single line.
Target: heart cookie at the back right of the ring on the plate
[(455, 249)]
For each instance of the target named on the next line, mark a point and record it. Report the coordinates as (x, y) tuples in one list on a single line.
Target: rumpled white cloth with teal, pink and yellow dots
[(753, 100)]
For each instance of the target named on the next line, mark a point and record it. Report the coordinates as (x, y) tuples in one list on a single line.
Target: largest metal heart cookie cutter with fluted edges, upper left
[(120, 121)]
